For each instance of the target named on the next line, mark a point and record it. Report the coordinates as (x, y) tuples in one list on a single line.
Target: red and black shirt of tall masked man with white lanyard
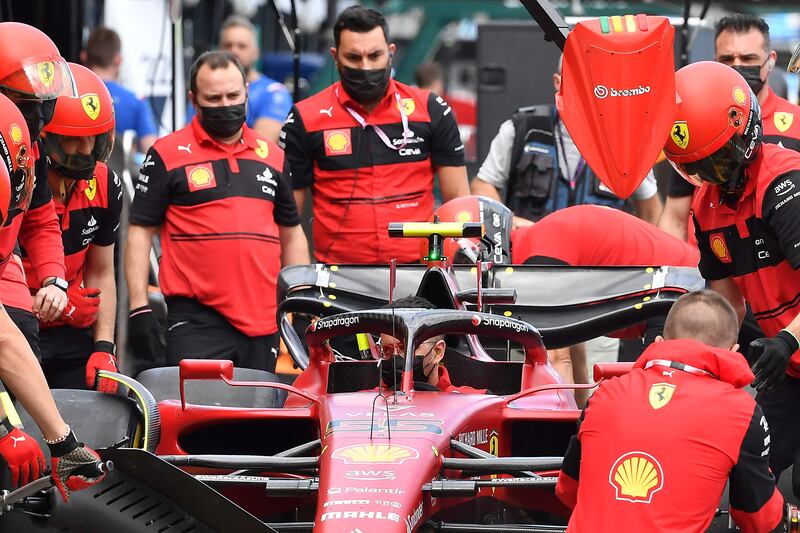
[(359, 184)]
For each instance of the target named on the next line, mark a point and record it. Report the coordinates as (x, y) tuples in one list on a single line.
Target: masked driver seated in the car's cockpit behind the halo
[(428, 367)]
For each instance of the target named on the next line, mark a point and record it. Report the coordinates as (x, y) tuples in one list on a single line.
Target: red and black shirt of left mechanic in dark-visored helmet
[(88, 216)]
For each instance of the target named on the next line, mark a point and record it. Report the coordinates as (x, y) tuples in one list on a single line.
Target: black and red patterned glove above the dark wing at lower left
[(74, 466)]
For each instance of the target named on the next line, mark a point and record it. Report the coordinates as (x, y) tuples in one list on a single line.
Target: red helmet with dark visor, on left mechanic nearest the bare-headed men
[(86, 121)]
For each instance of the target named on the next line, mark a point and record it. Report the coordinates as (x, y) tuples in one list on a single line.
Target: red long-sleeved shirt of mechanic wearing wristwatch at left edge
[(37, 230)]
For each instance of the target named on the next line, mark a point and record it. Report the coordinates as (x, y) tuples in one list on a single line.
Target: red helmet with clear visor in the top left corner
[(32, 72)]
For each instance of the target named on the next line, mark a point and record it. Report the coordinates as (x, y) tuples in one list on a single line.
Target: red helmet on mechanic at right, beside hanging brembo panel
[(717, 130)]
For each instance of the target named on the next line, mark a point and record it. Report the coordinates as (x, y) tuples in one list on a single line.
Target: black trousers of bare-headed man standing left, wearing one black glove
[(196, 331)]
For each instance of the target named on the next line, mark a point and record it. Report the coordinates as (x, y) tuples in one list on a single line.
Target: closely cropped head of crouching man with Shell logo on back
[(705, 316)]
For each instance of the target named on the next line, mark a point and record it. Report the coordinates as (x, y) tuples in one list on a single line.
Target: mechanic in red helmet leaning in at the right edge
[(746, 221)]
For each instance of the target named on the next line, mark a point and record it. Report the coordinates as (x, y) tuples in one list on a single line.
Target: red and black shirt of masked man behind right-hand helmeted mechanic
[(781, 121)]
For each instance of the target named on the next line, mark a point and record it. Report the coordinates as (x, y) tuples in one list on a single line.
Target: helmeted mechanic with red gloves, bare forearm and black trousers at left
[(88, 198)]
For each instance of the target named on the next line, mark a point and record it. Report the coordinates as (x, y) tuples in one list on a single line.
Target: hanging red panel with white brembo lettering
[(617, 97)]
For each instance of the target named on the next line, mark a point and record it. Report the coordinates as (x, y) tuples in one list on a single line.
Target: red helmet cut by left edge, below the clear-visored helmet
[(15, 151)]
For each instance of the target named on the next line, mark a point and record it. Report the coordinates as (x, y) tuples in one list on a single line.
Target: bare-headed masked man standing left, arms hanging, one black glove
[(223, 201)]
